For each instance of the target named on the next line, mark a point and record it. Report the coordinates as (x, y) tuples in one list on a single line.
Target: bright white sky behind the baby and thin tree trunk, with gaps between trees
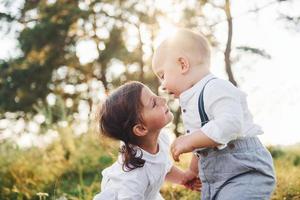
[(272, 85)]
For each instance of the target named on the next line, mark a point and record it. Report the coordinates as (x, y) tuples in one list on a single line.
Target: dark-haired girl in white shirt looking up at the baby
[(135, 115)]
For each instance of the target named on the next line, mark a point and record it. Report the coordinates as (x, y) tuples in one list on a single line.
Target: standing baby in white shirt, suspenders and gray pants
[(232, 162)]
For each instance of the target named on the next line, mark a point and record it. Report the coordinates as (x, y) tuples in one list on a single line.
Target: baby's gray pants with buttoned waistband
[(241, 171)]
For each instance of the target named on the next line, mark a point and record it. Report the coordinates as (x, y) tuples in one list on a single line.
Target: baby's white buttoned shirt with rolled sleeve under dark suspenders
[(226, 107)]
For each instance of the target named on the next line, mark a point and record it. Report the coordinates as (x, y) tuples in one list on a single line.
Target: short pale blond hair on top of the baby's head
[(194, 46)]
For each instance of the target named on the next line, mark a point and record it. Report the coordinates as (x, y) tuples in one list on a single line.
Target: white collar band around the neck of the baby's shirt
[(186, 95)]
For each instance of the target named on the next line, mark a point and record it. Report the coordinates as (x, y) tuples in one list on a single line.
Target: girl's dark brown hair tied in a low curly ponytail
[(120, 112)]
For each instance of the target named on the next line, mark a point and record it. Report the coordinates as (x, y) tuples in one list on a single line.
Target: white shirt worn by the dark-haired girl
[(141, 183)]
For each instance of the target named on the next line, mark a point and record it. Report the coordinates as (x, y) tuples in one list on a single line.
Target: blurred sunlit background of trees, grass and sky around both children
[(60, 58)]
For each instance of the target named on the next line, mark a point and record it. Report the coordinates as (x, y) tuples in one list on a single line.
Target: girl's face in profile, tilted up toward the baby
[(155, 113)]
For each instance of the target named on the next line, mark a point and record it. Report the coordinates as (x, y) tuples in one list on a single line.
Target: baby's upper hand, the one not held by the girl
[(181, 145)]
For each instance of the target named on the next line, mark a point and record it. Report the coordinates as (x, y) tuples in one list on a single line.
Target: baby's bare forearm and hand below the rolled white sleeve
[(190, 142)]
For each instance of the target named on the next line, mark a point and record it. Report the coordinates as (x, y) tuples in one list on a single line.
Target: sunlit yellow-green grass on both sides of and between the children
[(71, 167)]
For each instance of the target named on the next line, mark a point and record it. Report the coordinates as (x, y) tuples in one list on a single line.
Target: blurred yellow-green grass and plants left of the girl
[(69, 167)]
